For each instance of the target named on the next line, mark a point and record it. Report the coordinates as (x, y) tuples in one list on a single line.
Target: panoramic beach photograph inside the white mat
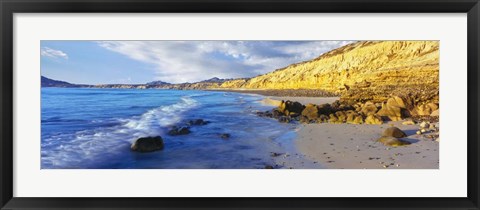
[(239, 104)]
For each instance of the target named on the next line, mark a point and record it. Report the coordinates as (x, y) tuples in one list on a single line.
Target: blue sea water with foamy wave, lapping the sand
[(94, 128)]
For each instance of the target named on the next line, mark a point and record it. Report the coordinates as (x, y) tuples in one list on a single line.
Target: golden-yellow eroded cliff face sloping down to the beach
[(379, 67)]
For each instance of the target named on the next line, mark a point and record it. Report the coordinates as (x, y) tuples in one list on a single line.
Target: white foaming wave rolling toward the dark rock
[(74, 150)]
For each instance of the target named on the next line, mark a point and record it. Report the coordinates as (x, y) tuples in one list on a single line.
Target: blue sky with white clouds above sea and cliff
[(139, 62)]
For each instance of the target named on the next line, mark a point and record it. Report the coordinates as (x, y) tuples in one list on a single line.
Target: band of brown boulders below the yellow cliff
[(395, 108)]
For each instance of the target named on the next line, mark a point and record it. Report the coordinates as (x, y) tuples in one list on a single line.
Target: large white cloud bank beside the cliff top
[(191, 61)]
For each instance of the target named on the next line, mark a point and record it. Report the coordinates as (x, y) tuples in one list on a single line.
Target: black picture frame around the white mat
[(10, 7)]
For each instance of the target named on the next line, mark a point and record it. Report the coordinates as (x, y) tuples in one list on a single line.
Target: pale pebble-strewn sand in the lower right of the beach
[(348, 146)]
